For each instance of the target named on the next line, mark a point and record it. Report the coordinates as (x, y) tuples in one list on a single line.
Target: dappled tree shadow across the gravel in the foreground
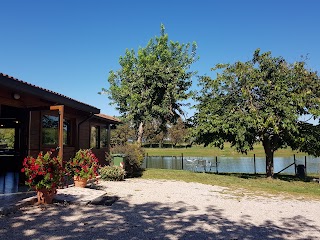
[(144, 221)]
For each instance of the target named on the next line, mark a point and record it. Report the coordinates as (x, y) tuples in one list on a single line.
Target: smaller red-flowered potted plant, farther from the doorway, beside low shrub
[(82, 167)]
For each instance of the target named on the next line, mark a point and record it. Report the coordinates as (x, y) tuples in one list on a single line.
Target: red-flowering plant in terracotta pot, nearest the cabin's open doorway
[(44, 174)]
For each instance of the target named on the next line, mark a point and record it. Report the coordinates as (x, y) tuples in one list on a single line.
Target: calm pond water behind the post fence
[(230, 164)]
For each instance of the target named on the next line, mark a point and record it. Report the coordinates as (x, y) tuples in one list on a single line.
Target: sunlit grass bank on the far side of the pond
[(200, 151)]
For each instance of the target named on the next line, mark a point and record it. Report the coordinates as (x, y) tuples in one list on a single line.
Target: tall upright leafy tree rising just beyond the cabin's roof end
[(153, 83)]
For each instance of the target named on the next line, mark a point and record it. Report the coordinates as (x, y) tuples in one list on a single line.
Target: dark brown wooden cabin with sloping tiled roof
[(34, 119)]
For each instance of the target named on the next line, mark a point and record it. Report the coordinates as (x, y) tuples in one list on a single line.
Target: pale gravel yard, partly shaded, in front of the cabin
[(156, 209)]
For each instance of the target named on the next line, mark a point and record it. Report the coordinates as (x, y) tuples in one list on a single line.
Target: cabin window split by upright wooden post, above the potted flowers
[(50, 130)]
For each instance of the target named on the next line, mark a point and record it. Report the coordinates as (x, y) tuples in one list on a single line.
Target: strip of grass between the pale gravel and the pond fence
[(287, 186)]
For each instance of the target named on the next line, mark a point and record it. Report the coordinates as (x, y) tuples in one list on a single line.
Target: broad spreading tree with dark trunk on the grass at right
[(260, 100)]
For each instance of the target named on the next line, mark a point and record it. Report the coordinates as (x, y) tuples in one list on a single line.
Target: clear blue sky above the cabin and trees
[(69, 46)]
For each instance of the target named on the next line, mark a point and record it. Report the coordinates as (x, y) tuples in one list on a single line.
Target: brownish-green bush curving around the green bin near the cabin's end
[(134, 157)]
